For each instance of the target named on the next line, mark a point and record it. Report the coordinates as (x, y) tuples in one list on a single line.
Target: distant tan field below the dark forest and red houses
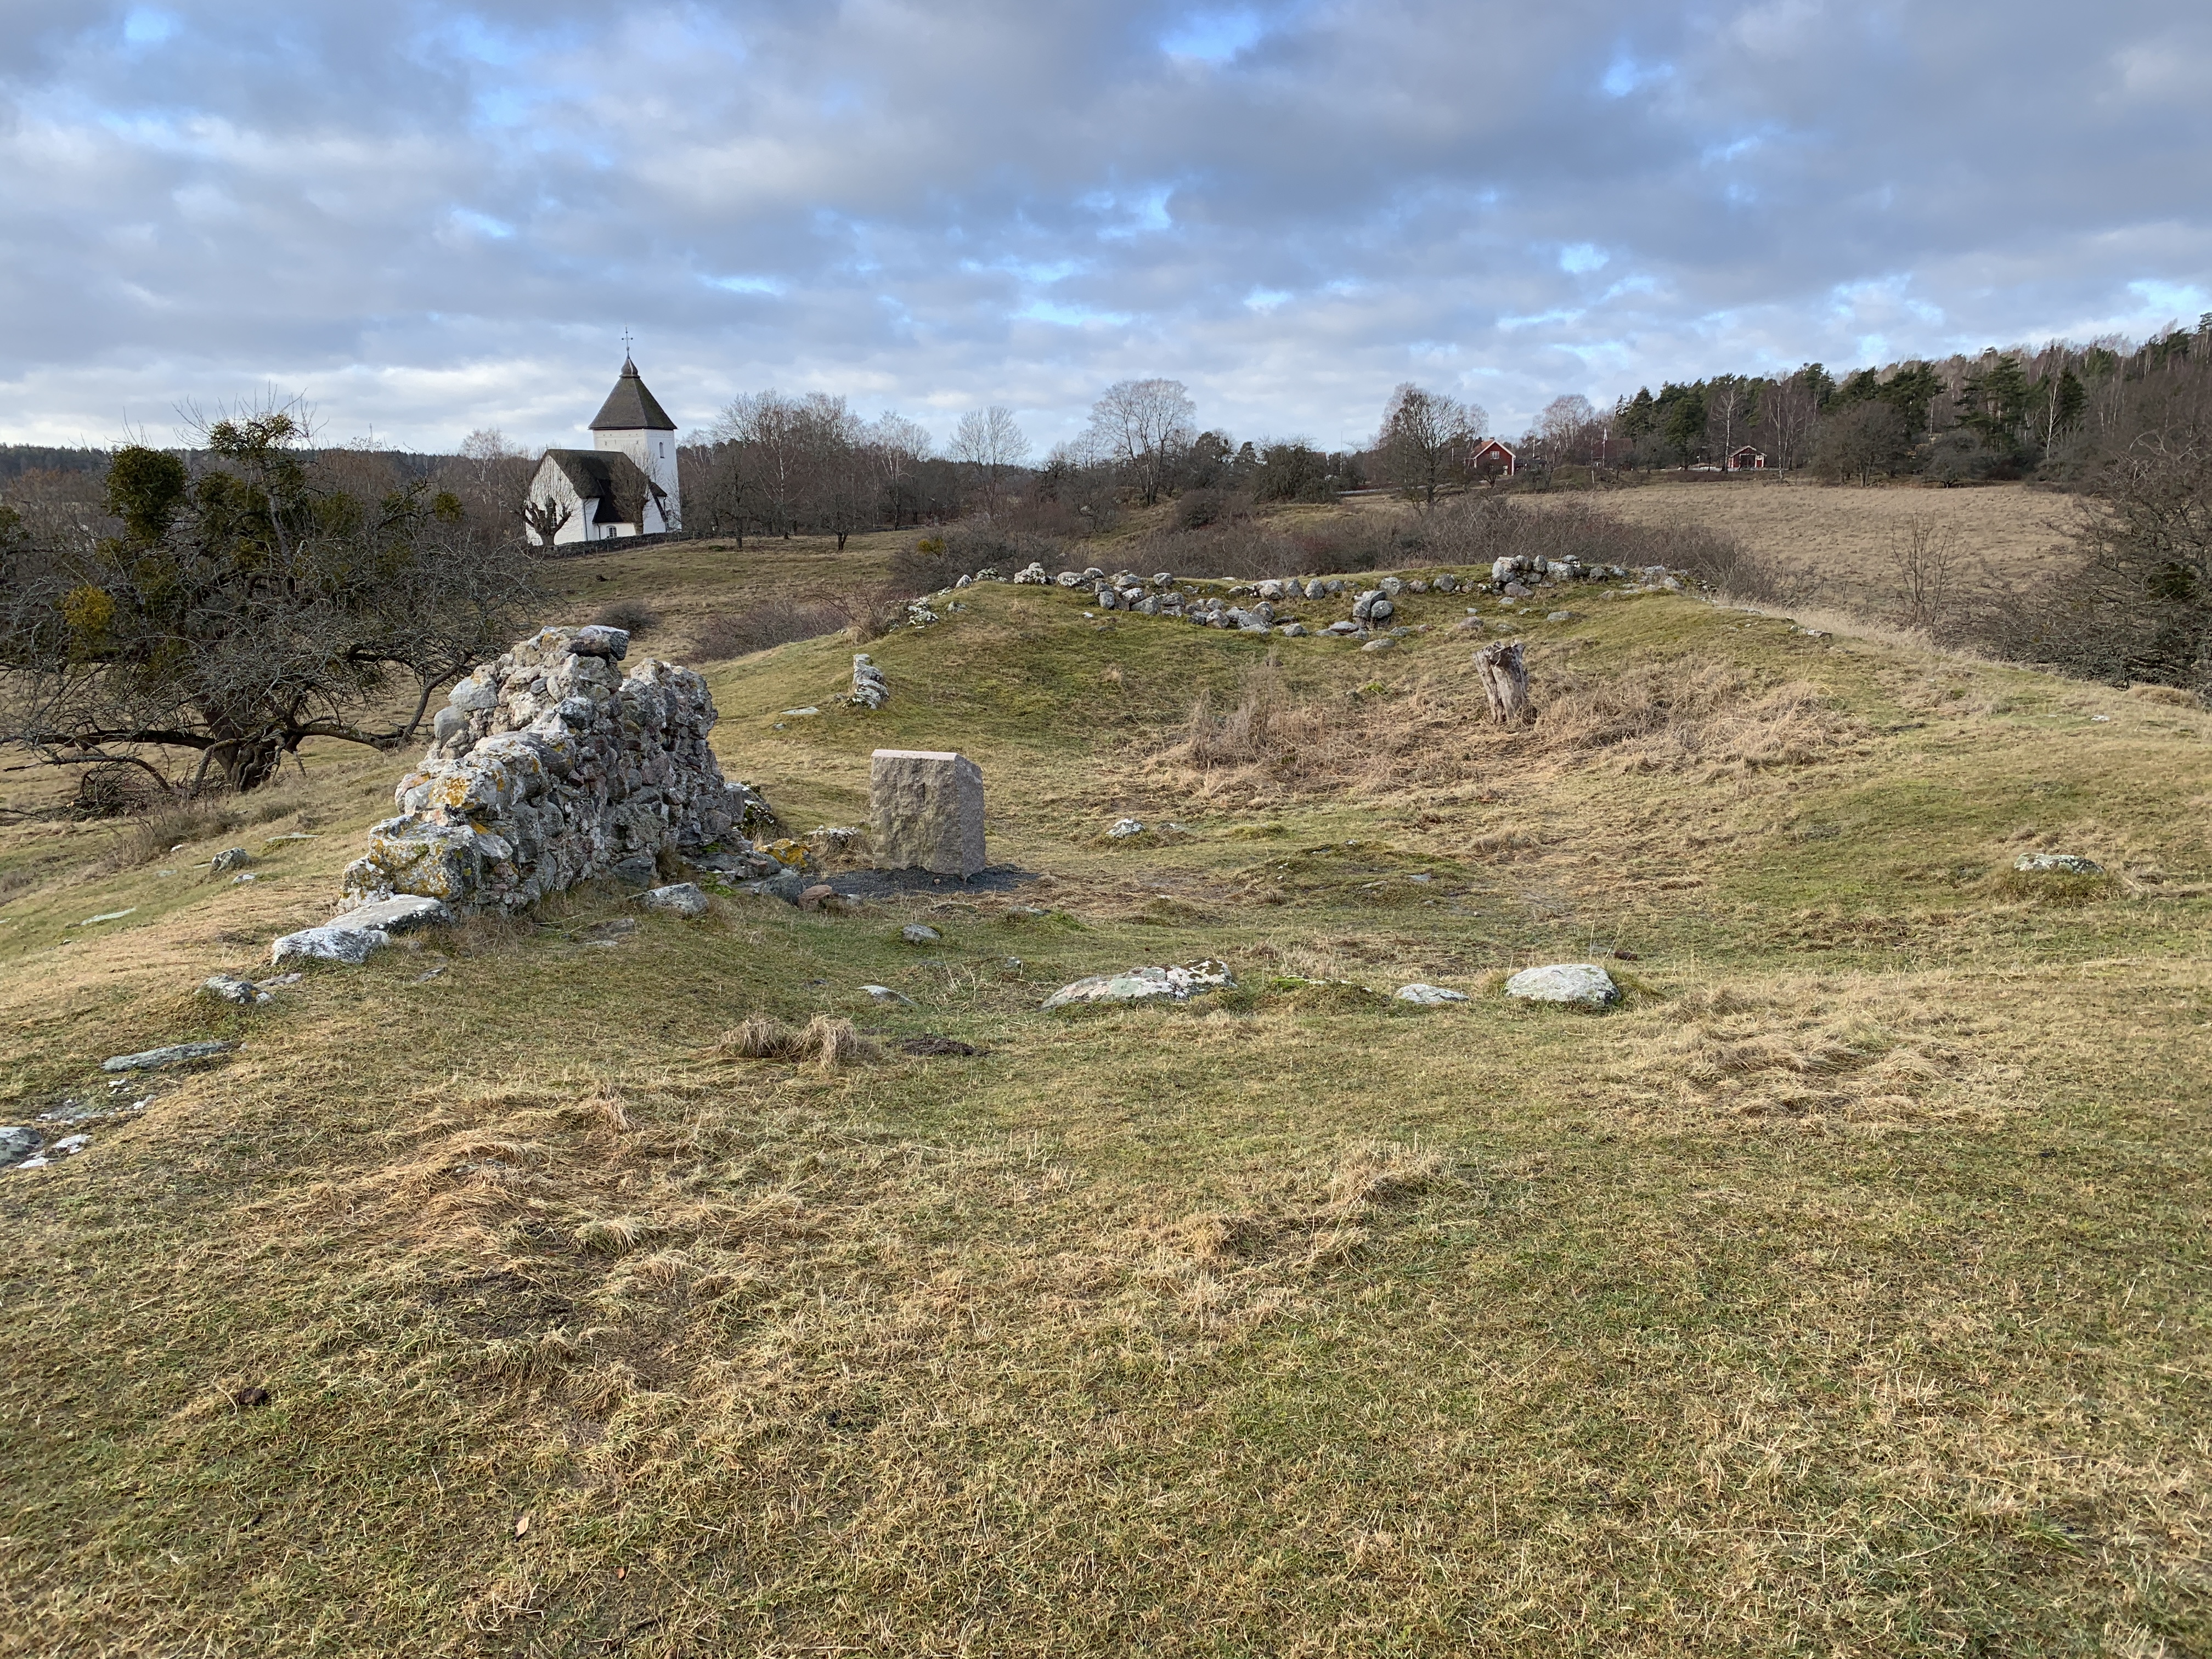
[(1848, 539)]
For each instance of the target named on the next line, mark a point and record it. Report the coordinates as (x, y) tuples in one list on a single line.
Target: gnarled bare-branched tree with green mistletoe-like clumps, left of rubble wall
[(242, 607)]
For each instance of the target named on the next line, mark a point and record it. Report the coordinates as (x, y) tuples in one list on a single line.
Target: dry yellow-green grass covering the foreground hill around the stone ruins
[(1837, 1295)]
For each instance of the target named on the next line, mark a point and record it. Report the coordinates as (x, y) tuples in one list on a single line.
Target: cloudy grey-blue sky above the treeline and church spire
[(437, 218)]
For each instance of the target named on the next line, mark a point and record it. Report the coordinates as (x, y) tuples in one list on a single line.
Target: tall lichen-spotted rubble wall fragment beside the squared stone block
[(554, 766)]
